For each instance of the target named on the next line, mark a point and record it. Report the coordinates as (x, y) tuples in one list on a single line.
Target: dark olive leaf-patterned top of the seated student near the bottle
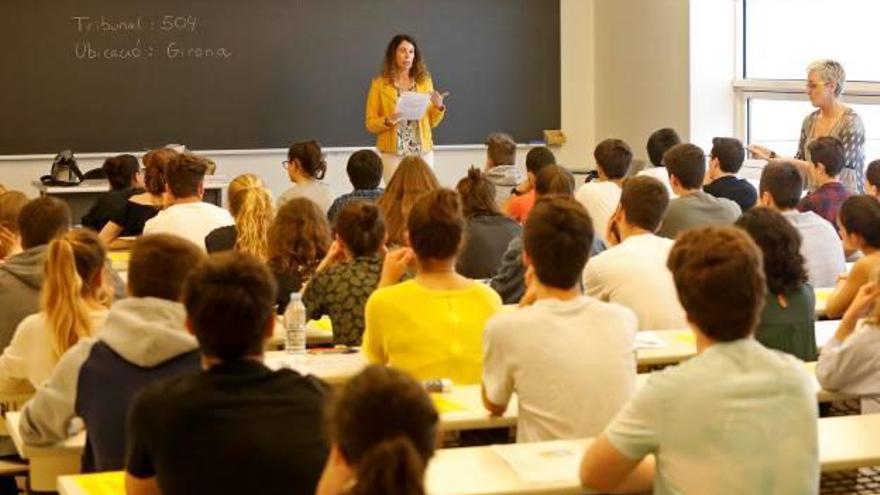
[(341, 292)]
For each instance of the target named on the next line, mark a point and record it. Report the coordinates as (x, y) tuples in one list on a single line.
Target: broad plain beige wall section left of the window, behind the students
[(641, 69)]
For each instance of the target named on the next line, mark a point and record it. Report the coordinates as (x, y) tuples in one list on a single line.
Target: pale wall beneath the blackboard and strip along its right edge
[(450, 165)]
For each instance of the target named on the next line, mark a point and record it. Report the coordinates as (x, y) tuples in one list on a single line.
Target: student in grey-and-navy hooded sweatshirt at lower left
[(143, 340)]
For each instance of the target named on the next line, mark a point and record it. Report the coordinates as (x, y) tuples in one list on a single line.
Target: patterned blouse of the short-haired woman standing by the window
[(850, 130)]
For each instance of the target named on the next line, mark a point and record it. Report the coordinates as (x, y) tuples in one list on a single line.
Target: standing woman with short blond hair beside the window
[(825, 81)]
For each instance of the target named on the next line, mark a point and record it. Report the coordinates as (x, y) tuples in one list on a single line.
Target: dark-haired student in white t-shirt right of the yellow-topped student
[(569, 358)]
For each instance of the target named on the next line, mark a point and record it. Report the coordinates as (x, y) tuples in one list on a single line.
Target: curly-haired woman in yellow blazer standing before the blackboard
[(402, 70)]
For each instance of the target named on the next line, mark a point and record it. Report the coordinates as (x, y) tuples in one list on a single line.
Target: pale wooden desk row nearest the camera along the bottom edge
[(845, 443)]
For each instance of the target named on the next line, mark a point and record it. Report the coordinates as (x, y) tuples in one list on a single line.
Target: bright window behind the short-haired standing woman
[(780, 38)]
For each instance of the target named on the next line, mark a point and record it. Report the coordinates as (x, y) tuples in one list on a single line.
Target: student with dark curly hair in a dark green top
[(787, 322)]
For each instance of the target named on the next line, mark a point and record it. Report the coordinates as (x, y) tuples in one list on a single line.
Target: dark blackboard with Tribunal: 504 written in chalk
[(120, 75)]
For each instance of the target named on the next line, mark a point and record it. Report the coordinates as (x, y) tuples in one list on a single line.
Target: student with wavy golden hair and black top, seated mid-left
[(250, 204)]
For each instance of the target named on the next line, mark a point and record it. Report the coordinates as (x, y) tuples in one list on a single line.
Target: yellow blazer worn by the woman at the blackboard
[(382, 101)]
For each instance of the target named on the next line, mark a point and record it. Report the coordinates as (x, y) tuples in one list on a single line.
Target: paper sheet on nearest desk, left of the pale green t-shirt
[(544, 462)]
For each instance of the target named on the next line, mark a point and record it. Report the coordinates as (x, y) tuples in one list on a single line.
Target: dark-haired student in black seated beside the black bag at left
[(123, 174)]
